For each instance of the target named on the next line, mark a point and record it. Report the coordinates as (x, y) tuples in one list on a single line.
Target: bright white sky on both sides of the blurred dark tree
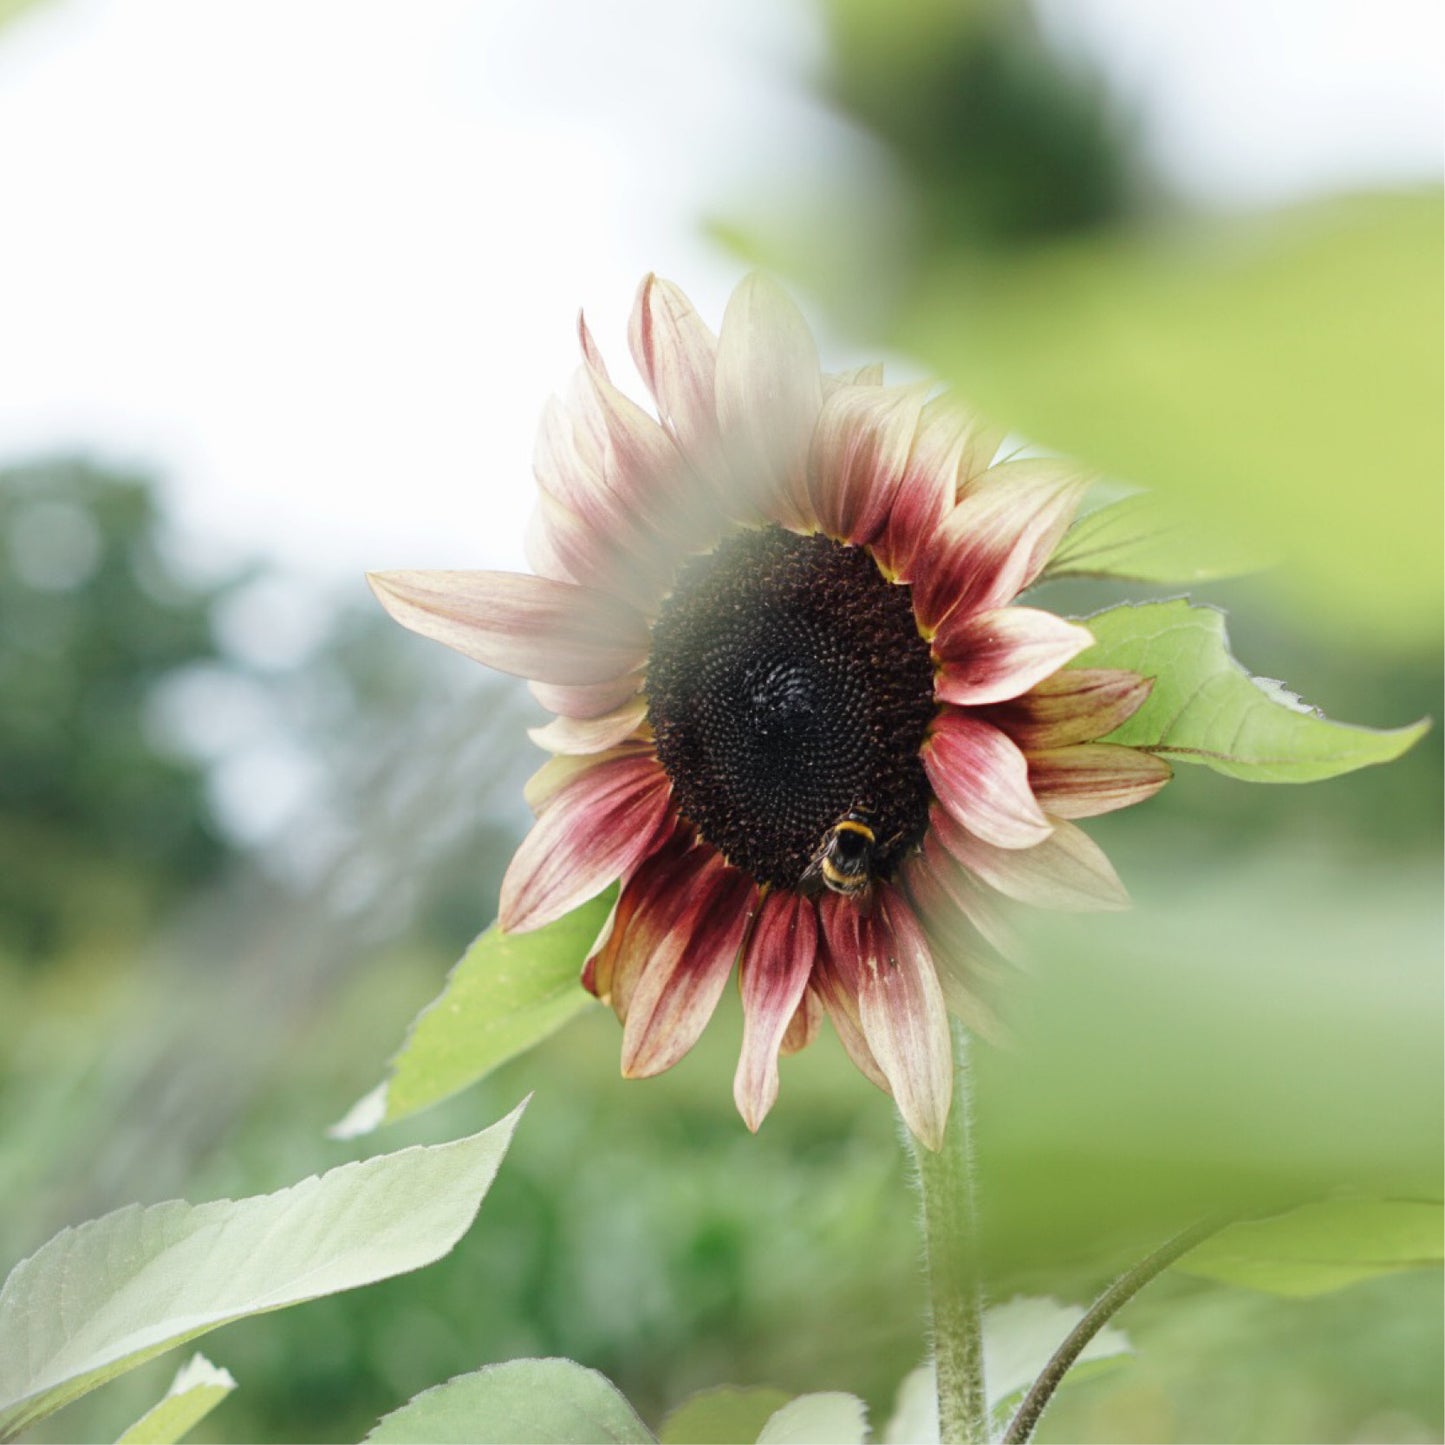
[(319, 261)]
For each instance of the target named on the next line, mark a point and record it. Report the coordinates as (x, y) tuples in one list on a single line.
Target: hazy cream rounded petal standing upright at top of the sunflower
[(769, 392)]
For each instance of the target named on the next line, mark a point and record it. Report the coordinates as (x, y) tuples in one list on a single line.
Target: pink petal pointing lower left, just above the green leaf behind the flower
[(596, 829)]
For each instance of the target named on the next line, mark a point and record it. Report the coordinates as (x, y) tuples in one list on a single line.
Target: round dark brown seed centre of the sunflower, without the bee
[(787, 689)]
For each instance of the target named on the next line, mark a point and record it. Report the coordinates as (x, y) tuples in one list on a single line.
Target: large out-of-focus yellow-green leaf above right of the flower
[(1282, 371)]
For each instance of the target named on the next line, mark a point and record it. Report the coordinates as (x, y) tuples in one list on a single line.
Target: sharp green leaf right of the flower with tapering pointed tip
[(1206, 709)]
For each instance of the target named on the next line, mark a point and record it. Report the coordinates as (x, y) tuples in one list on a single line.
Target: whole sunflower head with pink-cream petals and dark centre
[(797, 713)]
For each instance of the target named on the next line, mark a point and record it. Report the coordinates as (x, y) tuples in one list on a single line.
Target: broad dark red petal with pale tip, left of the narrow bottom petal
[(684, 979)]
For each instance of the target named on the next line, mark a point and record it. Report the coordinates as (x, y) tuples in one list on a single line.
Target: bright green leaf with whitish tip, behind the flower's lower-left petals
[(508, 993)]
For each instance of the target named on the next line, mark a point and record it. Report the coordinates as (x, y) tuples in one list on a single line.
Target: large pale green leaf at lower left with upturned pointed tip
[(109, 1295)]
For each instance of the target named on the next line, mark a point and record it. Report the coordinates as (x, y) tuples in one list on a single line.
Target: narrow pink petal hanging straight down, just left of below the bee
[(774, 976)]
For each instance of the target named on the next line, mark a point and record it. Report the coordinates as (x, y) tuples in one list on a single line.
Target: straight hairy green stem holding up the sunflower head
[(952, 1246)]
